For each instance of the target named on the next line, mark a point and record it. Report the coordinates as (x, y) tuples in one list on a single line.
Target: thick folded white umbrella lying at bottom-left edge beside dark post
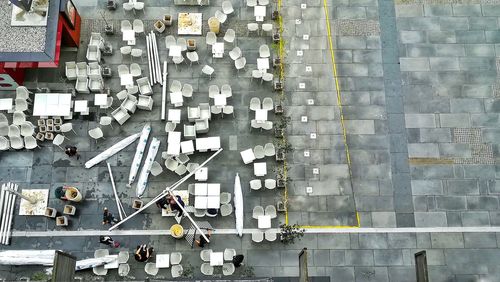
[(27, 257)]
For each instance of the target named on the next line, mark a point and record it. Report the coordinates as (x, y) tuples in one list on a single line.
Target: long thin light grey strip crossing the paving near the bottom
[(80, 233)]
